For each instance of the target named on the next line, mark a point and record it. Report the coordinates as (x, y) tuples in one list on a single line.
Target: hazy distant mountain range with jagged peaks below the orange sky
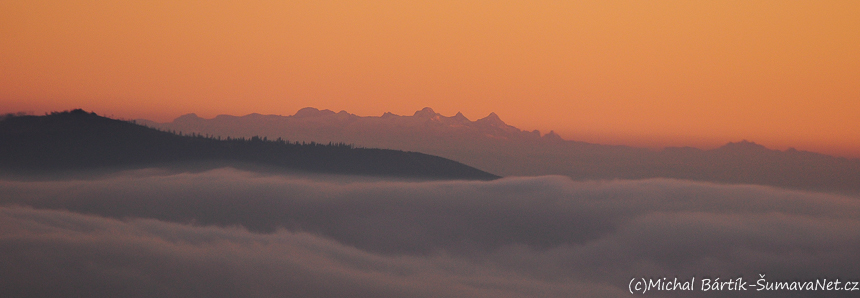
[(490, 144)]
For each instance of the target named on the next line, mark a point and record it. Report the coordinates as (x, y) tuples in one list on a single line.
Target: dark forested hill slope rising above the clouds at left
[(78, 140)]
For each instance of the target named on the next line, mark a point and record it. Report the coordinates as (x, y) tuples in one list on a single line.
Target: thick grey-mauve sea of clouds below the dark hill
[(232, 233)]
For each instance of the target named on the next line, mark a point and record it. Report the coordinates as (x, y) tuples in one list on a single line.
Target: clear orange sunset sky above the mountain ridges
[(646, 73)]
